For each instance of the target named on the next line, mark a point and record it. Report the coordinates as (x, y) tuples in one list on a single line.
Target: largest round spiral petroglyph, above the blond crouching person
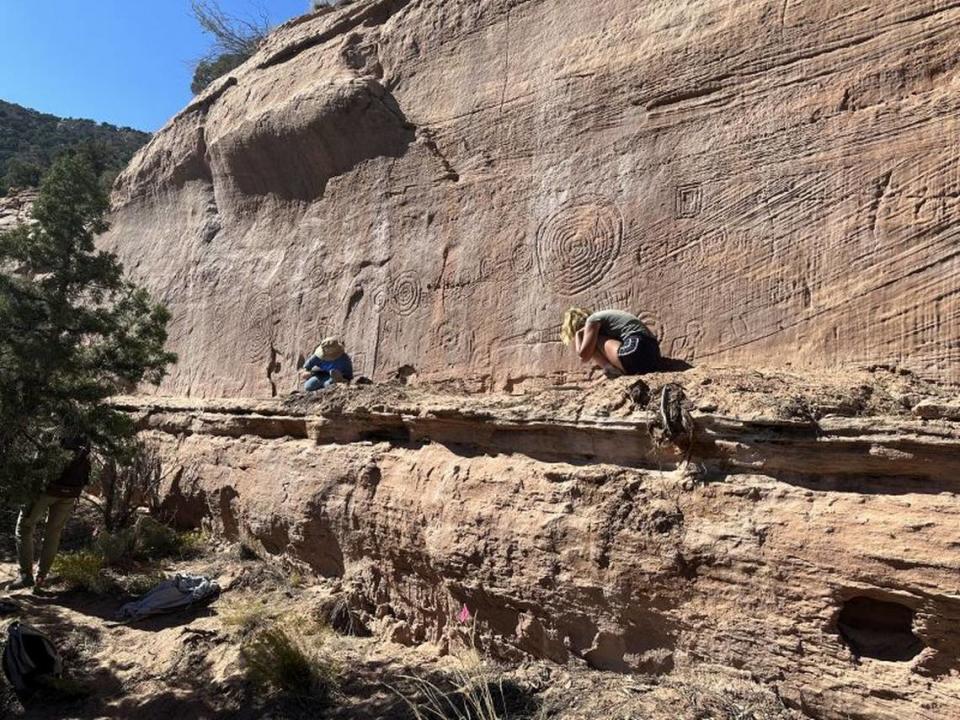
[(577, 245)]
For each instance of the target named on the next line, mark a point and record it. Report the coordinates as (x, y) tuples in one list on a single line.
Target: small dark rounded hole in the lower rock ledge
[(879, 629)]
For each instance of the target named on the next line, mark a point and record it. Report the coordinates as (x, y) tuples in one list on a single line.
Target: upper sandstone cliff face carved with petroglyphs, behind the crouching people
[(436, 179)]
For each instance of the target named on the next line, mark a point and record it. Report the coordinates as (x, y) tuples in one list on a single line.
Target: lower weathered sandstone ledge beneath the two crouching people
[(806, 533)]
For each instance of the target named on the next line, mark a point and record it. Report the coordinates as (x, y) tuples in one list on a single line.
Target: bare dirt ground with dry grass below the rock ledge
[(188, 664)]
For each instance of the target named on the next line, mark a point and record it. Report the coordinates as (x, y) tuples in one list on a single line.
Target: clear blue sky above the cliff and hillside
[(126, 62)]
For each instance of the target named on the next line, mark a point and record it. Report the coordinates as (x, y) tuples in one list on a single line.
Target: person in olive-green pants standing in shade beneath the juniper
[(56, 503)]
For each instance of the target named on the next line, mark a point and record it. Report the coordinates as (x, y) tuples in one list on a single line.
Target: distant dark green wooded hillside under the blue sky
[(30, 140)]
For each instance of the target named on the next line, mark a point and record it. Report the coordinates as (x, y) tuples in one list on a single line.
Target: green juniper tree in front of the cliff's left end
[(73, 332)]
